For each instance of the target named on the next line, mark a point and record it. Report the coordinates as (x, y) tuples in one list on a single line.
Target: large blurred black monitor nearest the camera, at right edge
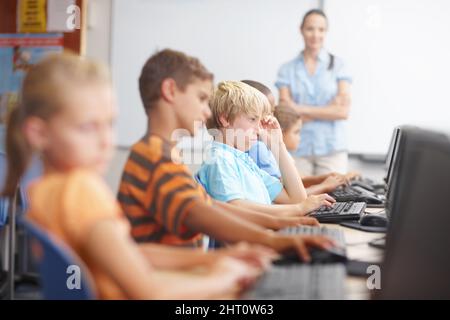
[(417, 259)]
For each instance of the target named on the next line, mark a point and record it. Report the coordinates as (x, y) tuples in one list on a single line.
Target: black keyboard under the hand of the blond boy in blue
[(339, 212)]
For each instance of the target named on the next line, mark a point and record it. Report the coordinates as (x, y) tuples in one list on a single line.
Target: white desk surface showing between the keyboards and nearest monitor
[(359, 249)]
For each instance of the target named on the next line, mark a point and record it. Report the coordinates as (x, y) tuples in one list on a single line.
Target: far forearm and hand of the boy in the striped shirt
[(265, 220)]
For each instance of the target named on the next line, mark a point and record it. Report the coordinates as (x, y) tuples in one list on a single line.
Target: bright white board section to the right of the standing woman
[(399, 54)]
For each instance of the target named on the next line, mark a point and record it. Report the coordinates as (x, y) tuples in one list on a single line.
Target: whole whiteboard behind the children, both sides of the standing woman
[(398, 52)]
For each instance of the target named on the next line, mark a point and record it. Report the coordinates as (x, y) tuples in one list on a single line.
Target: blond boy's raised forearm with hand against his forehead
[(294, 191)]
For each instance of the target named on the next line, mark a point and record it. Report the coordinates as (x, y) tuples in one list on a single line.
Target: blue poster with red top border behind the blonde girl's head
[(17, 53)]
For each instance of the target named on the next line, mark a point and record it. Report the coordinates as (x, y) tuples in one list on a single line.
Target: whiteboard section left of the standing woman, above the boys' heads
[(235, 39)]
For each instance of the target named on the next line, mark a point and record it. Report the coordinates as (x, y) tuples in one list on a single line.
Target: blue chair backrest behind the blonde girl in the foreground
[(63, 275)]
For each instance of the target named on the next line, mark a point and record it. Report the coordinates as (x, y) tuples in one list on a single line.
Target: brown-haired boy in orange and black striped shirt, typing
[(159, 195)]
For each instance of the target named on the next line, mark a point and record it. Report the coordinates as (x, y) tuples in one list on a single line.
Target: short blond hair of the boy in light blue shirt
[(233, 98)]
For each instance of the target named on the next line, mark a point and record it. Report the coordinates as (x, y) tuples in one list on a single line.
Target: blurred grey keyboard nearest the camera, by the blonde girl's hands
[(300, 282)]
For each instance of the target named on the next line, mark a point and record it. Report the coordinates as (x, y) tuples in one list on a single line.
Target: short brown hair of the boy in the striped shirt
[(168, 64)]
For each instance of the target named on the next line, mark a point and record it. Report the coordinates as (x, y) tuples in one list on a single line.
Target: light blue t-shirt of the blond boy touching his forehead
[(230, 174)]
